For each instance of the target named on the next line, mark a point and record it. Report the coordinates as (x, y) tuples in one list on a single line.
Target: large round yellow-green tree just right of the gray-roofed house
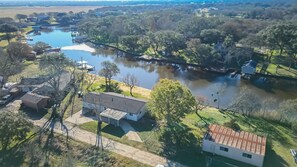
[(171, 101)]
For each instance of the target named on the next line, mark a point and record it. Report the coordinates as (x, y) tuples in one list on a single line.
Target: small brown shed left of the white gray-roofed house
[(35, 101)]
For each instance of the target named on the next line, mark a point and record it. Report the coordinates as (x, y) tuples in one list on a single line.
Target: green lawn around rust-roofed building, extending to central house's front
[(280, 138)]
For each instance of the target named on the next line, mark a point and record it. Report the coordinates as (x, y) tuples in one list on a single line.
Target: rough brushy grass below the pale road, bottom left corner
[(55, 152)]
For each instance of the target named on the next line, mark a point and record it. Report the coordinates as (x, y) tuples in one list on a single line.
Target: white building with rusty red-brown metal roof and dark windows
[(241, 146)]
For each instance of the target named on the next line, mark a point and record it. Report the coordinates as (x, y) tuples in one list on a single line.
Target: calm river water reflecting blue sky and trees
[(200, 83)]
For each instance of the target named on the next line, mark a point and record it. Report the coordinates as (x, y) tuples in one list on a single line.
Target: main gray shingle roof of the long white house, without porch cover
[(116, 101)]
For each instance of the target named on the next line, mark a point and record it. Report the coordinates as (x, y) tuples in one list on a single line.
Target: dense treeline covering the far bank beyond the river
[(185, 34)]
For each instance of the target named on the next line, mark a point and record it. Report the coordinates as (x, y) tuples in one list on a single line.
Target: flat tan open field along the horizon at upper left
[(12, 11)]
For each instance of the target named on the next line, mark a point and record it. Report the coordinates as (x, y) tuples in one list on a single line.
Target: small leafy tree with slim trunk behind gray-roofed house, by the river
[(108, 71)]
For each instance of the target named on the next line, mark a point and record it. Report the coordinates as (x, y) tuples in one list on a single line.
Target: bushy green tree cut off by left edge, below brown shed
[(13, 128)]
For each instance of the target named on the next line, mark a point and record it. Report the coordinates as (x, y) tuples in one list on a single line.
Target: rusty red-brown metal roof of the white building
[(241, 140)]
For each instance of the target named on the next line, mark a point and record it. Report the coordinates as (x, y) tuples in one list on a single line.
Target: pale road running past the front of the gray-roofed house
[(116, 147)]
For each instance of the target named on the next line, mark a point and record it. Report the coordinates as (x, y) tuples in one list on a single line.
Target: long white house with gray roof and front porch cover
[(113, 107)]
